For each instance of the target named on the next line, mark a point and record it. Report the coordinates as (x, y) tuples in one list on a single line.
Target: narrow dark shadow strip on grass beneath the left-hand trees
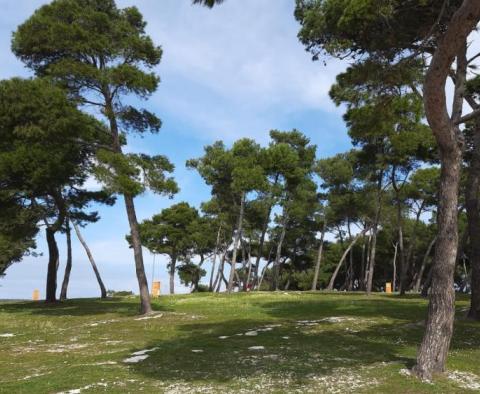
[(79, 307)]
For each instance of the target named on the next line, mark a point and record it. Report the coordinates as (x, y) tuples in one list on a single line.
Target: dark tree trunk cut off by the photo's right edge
[(473, 216)]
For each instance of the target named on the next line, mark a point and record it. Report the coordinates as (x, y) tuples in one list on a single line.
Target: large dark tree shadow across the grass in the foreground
[(289, 351)]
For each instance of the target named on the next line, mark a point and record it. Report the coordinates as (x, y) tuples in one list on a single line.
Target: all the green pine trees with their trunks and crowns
[(400, 206)]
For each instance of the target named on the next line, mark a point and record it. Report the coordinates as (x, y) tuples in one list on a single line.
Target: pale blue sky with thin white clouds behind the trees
[(235, 71)]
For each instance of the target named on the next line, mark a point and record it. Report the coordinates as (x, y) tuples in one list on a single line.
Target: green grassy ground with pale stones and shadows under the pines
[(359, 344)]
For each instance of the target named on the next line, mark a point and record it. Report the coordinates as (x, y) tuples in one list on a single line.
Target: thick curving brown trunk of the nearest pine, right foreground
[(433, 350)]
